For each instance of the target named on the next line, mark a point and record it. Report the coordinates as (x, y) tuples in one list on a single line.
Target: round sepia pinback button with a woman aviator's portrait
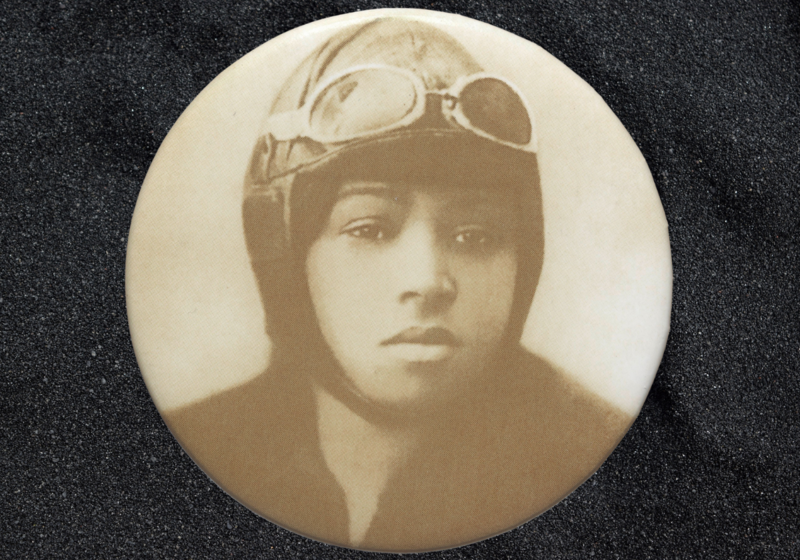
[(398, 281)]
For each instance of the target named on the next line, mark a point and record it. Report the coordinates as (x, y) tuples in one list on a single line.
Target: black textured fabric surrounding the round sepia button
[(709, 91)]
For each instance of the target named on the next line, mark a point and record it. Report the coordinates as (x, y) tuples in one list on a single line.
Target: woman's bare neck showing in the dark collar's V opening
[(361, 455)]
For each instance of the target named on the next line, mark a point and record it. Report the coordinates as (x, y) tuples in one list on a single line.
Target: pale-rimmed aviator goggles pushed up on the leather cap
[(374, 99)]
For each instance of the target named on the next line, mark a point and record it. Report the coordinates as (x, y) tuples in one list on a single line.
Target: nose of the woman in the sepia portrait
[(423, 269)]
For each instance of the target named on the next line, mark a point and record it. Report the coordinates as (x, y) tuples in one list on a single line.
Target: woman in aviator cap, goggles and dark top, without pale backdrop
[(393, 217)]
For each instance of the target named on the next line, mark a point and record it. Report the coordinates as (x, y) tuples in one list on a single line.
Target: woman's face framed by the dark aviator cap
[(412, 286)]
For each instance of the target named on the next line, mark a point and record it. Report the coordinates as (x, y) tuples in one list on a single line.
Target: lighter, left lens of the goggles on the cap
[(362, 102)]
